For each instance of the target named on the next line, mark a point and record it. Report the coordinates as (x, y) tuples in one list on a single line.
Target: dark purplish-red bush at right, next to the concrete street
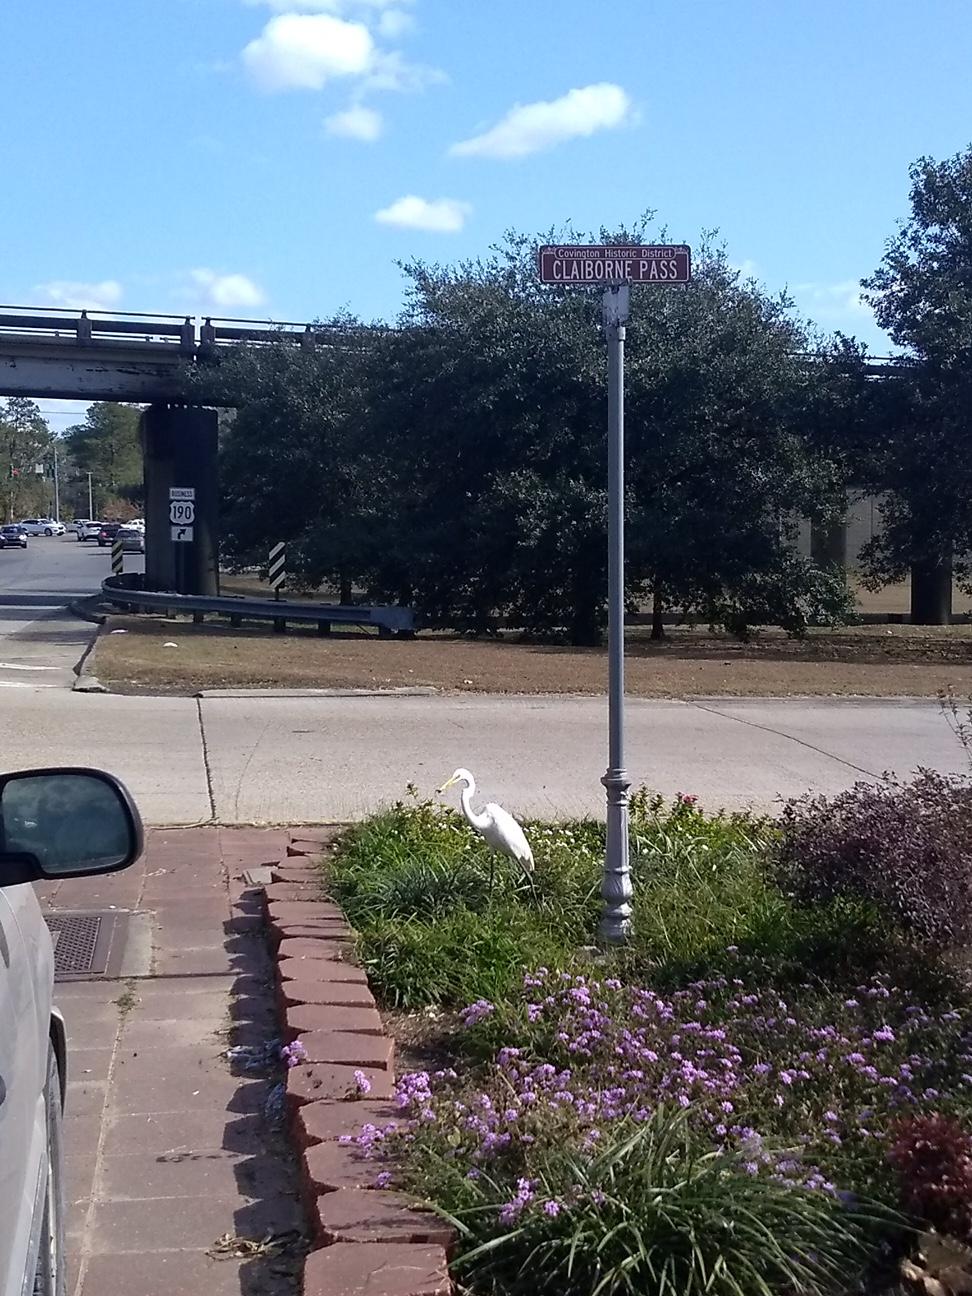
[(905, 848)]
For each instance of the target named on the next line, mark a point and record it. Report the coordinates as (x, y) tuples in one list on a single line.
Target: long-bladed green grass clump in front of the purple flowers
[(655, 1210)]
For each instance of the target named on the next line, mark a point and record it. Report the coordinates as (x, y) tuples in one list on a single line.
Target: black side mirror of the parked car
[(65, 824)]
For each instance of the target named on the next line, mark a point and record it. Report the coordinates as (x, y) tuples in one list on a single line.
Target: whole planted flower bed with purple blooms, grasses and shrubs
[(756, 1097)]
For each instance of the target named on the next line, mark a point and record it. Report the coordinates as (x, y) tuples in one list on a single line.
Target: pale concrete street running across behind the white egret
[(326, 760)]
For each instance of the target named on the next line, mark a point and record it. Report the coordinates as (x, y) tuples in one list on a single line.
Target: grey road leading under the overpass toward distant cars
[(41, 642)]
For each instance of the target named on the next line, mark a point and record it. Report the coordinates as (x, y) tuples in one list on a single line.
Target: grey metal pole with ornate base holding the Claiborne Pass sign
[(616, 883)]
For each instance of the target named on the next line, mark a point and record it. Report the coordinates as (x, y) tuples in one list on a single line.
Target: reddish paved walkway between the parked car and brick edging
[(173, 1163)]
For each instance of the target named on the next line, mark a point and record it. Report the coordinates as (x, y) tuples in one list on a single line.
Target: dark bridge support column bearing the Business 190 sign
[(179, 445)]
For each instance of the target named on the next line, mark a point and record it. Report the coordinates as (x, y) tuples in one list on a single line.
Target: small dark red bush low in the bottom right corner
[(934, 1159)]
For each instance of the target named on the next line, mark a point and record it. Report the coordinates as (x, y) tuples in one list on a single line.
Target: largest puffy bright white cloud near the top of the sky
[(304, 51)]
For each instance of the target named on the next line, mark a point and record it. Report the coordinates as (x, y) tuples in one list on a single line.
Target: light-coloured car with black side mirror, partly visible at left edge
[(54, 824)]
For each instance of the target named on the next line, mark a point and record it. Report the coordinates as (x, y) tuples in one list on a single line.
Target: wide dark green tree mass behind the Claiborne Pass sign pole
[(458, 462)]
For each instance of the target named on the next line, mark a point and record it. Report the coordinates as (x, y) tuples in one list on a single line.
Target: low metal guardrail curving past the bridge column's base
[(125, 593)]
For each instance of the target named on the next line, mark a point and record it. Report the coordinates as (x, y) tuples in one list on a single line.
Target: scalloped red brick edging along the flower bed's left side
[(366, 1241)]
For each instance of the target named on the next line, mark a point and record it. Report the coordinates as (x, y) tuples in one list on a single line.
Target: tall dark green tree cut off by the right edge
[(922, 294)]
